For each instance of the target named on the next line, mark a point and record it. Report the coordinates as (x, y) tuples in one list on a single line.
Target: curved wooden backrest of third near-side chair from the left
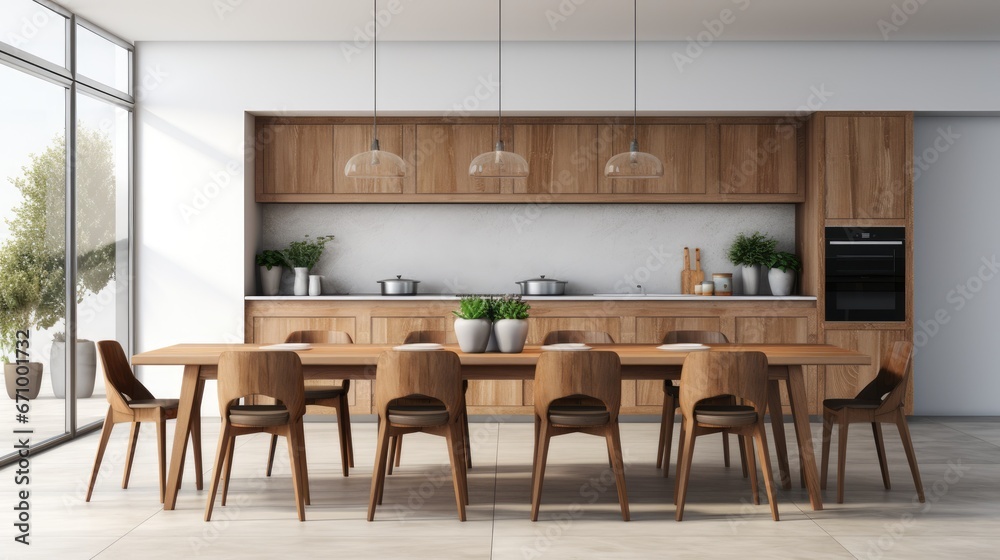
[(596, 374)]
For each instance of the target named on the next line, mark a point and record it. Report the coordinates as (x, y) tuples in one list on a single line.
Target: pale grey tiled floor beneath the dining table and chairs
[(959, 459)]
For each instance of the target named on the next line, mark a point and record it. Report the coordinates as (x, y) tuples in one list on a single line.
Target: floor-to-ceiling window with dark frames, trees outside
[(65, 185)]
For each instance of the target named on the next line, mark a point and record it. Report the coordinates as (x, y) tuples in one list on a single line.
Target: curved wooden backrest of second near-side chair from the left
[(436, 374)]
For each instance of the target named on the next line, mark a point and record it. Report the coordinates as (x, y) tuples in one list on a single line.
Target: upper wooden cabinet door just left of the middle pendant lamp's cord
[(444, 152)]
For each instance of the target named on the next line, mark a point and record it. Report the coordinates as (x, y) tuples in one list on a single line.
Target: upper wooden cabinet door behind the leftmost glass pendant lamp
[(351, 139)]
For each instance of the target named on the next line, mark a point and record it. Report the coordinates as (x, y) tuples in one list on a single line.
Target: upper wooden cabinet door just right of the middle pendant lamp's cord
[(562, 158)]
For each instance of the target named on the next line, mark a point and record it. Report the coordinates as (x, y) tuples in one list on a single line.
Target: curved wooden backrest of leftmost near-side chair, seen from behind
[(272, 374)]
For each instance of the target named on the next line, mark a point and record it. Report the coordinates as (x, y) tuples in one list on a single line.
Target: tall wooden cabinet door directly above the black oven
[(867, 173)]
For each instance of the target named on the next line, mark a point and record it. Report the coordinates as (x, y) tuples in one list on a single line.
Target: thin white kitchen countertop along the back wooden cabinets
[(569, 297)]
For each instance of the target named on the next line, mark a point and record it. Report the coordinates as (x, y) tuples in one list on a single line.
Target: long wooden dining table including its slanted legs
[(638, 361)]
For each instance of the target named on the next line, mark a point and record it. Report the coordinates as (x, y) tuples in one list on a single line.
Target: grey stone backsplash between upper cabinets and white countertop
[(485, 248)]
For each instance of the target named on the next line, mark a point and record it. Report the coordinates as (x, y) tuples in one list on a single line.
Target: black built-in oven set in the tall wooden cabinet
[(865, 274)]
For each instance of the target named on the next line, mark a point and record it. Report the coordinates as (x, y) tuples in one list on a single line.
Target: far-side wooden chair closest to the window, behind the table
[(331, 396)]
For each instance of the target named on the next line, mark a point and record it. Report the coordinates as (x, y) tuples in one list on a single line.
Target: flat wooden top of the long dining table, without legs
[(630, 354)]
